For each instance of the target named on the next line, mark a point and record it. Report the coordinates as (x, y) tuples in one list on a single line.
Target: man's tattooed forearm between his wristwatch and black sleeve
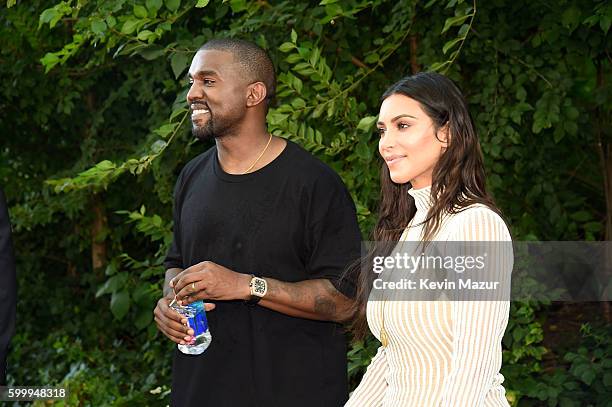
[(312, 299)]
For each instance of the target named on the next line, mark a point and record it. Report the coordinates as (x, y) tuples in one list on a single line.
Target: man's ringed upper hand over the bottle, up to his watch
[(208, 280)]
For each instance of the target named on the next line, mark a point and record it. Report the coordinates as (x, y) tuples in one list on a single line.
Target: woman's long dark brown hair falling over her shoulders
[(458, 178)]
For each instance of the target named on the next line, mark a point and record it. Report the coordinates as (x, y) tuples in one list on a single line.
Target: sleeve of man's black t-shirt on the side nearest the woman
[(333, 235)]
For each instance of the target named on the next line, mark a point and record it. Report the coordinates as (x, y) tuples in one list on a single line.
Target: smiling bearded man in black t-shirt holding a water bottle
[(263, 232)]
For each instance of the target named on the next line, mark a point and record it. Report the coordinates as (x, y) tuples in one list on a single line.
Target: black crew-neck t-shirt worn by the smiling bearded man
[(292, 220)]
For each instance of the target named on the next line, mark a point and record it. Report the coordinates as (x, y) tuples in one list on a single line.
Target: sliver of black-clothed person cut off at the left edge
[(8, 287)]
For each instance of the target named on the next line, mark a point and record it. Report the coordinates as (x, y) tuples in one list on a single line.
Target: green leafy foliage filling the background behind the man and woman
[(93, 99)]
